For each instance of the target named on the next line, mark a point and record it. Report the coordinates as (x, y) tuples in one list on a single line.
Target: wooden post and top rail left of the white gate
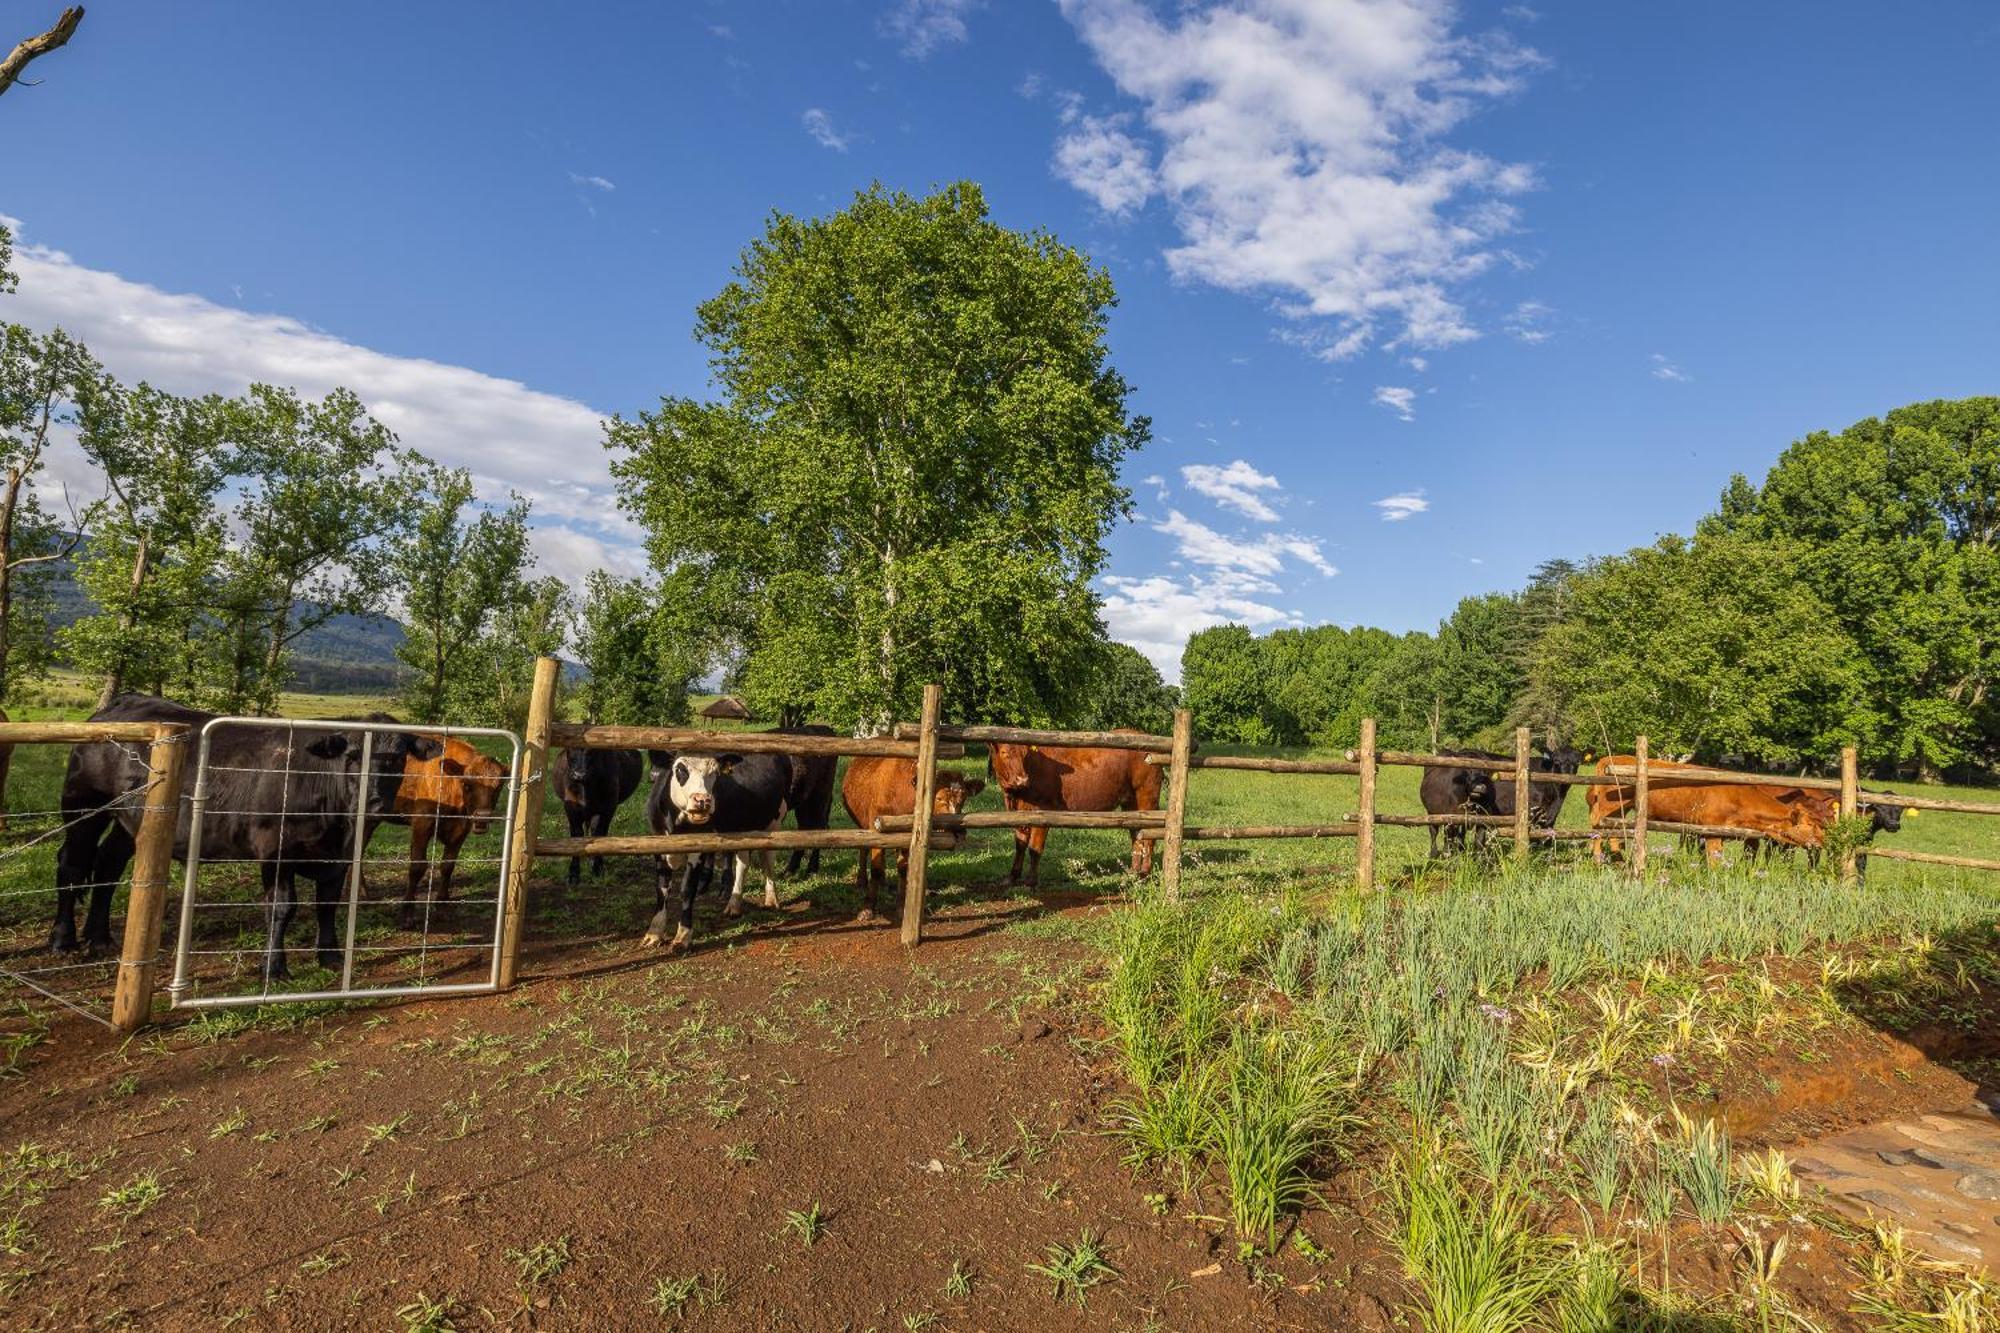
[(153, 854)]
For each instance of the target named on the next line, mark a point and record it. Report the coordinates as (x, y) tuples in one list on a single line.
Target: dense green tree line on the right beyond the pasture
[(1849, 599)]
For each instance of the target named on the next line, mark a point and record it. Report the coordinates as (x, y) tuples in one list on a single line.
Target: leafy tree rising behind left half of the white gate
[(327, 493)]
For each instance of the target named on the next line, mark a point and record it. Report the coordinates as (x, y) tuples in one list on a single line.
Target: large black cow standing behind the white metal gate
[(279, 798)]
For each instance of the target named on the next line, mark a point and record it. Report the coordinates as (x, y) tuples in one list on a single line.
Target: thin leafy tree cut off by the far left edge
[(49, 383)]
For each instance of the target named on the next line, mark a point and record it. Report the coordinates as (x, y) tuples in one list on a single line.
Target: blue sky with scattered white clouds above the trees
[(1415, 293)]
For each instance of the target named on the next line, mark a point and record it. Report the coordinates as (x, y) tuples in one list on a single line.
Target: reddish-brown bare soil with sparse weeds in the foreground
[(797, 1128)]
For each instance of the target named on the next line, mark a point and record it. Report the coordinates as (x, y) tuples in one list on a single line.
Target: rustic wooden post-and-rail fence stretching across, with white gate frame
[(923, 832)]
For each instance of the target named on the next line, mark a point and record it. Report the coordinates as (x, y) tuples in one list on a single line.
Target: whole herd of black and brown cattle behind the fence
[(287, 802)]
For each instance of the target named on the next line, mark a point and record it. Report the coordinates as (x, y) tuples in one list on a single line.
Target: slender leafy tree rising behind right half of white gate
[(457, 575)]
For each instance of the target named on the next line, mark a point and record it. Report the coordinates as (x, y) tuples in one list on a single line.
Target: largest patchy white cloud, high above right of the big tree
[(1301, 149)]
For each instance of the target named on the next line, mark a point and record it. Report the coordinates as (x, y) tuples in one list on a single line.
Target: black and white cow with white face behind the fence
[(713, 794)]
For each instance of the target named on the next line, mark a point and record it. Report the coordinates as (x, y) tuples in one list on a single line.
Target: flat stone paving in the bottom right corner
[(1935, 1176)]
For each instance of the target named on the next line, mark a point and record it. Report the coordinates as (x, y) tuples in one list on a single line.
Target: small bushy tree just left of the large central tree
[(633, 670)]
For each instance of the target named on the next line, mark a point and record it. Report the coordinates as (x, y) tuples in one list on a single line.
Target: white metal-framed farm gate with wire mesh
[(281, 902)]
